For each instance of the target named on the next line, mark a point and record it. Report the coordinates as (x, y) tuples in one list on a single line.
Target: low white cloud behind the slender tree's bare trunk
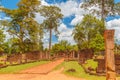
[(65, 34)]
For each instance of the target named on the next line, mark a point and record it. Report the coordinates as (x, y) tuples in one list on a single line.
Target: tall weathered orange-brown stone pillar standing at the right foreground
[(109, 56)]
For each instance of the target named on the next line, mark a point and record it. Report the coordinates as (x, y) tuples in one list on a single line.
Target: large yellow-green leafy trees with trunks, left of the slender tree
[(22, 24)]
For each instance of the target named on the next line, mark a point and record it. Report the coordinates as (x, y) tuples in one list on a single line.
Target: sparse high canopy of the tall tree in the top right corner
[(108, 7)]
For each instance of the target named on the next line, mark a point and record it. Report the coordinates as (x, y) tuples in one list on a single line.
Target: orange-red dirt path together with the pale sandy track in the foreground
[(40, 73)]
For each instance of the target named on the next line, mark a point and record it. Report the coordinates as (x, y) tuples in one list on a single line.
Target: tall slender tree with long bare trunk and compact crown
[(53, 16)]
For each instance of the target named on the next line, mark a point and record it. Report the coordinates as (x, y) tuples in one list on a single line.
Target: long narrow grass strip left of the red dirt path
[(17, 68)]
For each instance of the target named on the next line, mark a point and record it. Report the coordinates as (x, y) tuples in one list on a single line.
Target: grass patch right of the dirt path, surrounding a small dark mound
[(79, 71)]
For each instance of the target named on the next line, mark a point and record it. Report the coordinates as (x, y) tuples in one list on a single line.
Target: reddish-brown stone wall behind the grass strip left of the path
[(27, 57)]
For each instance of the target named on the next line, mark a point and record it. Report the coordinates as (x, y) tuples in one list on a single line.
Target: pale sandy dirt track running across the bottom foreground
[(56, 75)]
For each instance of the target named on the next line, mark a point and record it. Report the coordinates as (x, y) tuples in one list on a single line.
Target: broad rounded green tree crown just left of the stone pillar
[(86, 32)]
